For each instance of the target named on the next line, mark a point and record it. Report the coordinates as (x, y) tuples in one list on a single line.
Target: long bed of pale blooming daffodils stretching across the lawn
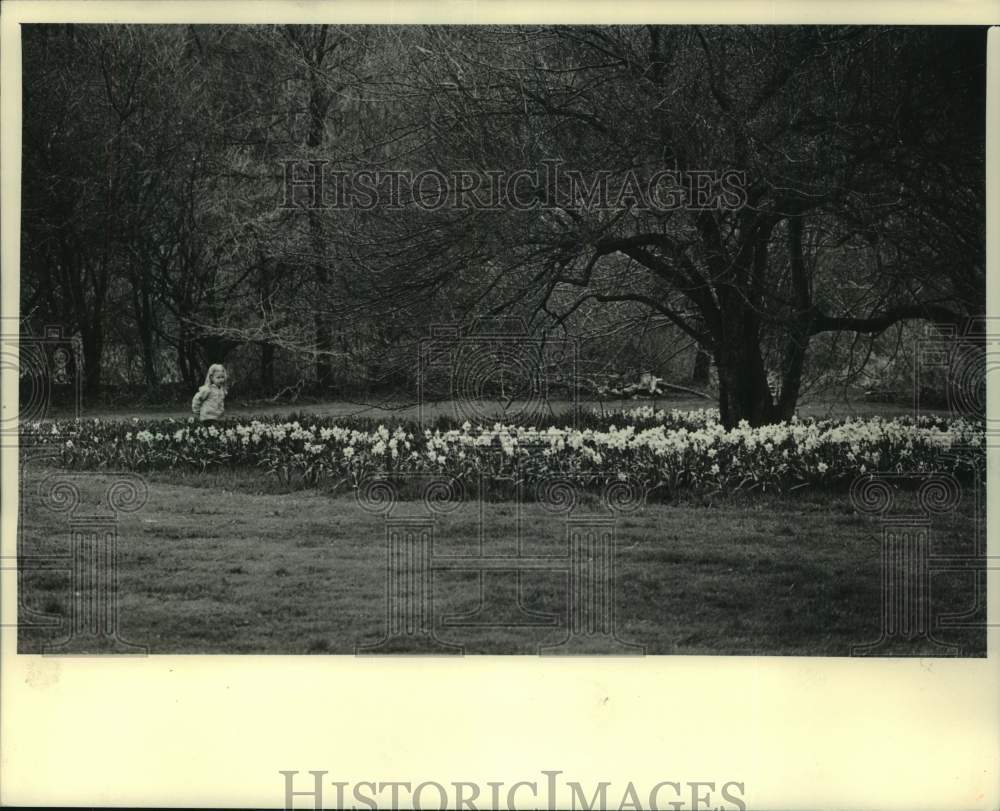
[(656, 449)]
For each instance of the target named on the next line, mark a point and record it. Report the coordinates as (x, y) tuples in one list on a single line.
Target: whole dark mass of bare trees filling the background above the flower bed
[(153, 168)]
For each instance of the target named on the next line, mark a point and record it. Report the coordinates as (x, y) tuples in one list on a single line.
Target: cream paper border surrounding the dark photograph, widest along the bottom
[(204, 730)]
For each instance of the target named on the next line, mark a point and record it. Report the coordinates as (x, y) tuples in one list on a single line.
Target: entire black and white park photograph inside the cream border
[(626, 340)]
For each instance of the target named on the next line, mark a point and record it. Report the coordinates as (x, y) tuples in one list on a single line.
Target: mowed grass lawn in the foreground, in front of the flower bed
[(227, 563)]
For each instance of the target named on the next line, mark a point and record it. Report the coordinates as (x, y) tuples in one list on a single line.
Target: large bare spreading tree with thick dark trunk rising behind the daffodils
[(862, 153)]
